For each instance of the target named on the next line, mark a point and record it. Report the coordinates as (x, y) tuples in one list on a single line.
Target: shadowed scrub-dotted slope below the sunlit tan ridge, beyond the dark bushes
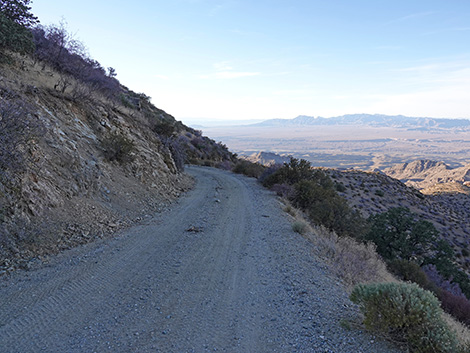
[(371, 193)]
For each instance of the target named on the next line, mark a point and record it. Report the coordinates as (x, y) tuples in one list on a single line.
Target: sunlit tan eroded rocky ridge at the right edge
[(424, 174)]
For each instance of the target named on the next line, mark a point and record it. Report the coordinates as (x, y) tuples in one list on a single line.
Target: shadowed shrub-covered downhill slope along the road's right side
[(379, 212)]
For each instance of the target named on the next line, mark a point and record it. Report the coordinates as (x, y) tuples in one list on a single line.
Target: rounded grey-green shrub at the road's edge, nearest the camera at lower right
[(407, 313)]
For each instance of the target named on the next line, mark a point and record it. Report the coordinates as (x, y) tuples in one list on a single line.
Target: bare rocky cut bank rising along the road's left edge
[(74, 167)]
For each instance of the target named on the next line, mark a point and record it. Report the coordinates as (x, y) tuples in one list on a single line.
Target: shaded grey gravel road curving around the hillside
[(220, 271)]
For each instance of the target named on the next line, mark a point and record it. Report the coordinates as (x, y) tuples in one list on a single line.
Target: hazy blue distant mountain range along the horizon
[(376, 120)]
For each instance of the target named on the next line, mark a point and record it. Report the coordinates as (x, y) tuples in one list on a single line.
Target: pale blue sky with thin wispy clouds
[(260, 59)]
